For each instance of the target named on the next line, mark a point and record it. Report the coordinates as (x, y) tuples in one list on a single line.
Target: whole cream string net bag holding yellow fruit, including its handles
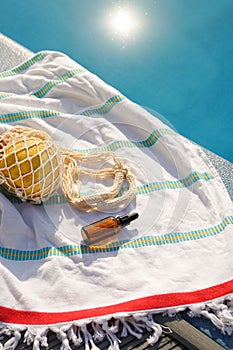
[(33, 168)]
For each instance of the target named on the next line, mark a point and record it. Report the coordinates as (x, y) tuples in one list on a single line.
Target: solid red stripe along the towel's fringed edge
[(160, 301)]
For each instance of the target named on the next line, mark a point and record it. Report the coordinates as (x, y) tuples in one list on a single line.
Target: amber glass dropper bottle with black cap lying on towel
[(101, 232)]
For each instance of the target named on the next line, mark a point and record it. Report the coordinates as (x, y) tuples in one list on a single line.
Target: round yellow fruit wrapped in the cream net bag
[(30, 167)]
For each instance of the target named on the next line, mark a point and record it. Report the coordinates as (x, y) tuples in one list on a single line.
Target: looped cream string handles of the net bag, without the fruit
[(101, 201)]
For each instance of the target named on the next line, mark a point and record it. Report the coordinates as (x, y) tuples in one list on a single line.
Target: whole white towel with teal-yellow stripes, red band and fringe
[(177, 255)]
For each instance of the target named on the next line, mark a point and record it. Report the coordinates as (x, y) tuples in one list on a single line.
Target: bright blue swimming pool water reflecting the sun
[(177, 60)]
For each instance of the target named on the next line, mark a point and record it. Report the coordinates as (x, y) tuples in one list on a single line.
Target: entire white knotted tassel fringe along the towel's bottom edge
[(90, 333)]
